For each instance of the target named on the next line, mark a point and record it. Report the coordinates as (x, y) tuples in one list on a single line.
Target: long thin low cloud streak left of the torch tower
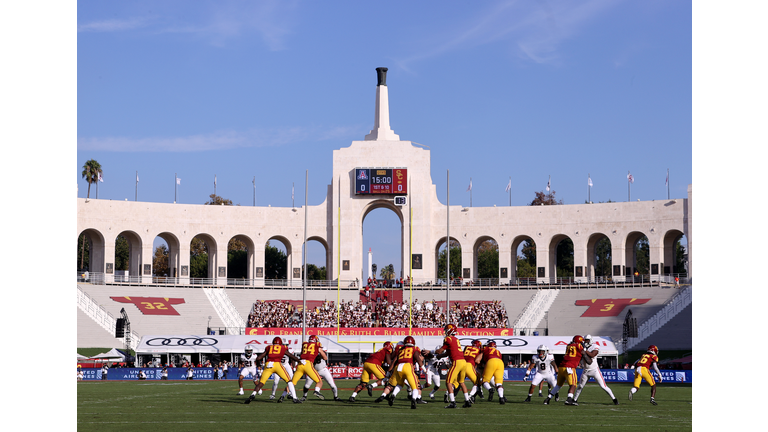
[(221, 140)]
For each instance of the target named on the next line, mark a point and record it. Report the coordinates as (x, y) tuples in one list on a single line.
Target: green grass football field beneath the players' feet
[(203, 405)]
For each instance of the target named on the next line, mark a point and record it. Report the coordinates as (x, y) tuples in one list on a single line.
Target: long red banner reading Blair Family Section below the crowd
[(374, 331)]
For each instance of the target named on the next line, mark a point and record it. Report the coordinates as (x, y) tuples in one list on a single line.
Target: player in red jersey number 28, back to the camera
[(402, 371)]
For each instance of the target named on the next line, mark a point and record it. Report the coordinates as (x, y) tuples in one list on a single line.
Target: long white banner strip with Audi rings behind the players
[(352, 343)]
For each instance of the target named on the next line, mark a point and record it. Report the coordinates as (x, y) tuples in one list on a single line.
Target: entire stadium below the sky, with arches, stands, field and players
[(184, 350)]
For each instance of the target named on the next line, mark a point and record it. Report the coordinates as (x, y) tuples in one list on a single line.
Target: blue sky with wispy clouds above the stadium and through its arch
[(497, 90)]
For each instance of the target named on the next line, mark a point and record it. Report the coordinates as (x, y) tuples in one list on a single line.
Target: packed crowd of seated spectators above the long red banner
[(423, 314)]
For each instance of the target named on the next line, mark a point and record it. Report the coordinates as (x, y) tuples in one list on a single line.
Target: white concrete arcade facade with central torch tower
[(337, 223)]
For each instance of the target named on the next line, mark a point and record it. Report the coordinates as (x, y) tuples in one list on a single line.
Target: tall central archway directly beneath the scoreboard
[(382, 234)]
